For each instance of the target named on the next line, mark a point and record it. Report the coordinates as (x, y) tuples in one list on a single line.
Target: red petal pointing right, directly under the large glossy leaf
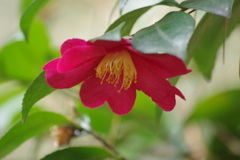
[(165, 65)]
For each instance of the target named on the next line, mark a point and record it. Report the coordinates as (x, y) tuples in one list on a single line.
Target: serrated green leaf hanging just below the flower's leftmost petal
[(36, 91)]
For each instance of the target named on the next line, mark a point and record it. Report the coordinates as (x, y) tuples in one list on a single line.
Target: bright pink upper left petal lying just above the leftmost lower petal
[(77, 56)]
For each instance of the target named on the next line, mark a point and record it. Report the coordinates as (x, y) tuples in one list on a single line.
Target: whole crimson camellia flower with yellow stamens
[(112, 71)]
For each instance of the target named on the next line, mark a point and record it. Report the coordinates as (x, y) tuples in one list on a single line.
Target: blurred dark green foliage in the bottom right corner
[(222, 110)]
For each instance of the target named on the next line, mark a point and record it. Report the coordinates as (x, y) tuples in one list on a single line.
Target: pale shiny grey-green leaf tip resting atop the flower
[(112, 35)]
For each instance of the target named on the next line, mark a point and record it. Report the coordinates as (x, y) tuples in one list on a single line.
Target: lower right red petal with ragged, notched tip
[(155, 86)]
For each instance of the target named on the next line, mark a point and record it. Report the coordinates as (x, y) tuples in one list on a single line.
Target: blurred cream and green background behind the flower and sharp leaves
[(205, 126)]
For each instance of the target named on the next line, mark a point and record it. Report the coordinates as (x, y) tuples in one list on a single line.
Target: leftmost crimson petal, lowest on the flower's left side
[(72, 77)]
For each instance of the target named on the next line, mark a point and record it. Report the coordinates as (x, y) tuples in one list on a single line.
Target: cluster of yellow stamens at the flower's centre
[(114, 65)]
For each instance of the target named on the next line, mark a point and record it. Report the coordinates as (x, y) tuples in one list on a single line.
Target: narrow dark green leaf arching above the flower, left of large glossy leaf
[(131, 17)]
